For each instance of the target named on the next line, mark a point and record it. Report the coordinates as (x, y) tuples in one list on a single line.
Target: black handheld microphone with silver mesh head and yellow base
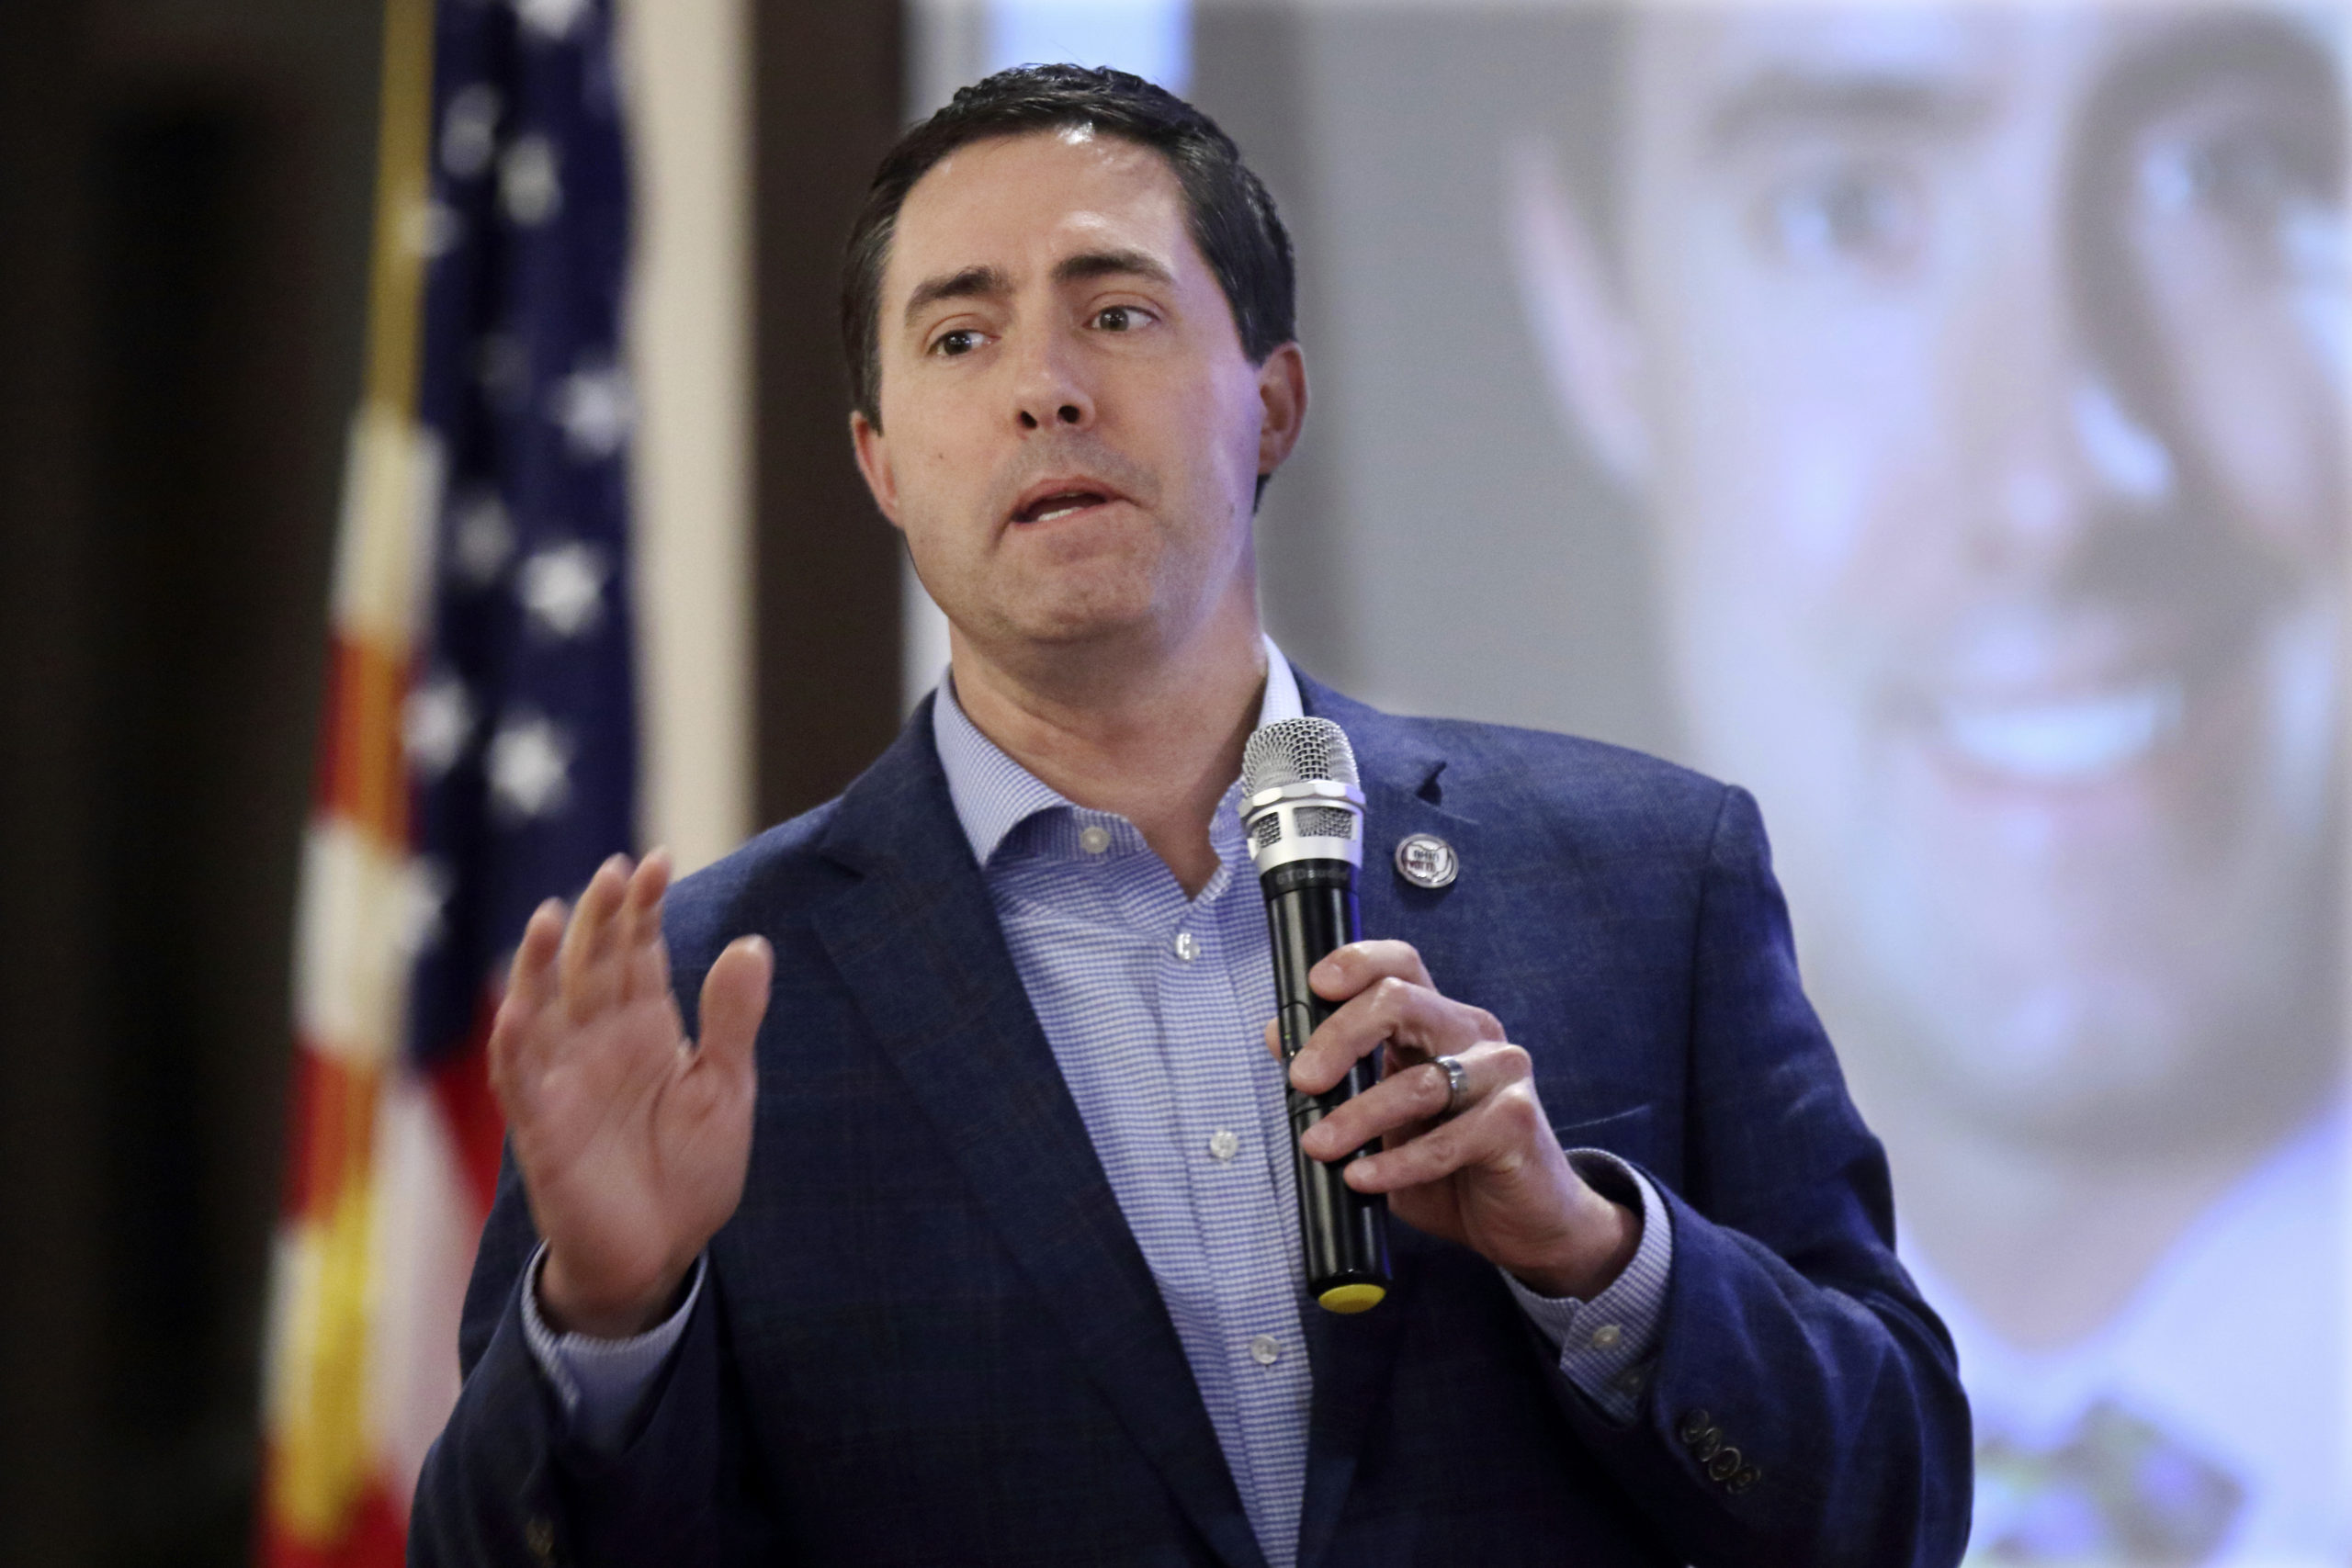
[(1304, 815)]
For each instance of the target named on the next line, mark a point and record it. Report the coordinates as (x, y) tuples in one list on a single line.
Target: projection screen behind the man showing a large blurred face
[(1930, 417)]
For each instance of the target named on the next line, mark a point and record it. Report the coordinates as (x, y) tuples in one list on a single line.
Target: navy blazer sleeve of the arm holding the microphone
[(1805, 1402)]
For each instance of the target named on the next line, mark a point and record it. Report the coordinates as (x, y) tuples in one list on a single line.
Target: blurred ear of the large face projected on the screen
[(1582, 328)]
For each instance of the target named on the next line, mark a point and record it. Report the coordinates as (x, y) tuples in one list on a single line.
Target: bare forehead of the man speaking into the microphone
[(1024, 203)]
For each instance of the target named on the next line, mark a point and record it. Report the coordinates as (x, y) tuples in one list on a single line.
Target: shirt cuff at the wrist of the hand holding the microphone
[(1608, 1343)]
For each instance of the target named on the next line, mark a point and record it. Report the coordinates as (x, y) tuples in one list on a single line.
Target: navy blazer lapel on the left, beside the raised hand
[(921, 949)]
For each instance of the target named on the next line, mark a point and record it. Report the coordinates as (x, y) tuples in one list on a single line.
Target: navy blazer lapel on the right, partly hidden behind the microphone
[(1356, 1355)]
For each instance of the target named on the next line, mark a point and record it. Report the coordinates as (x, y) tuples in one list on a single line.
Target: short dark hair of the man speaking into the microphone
[(1227, 208)]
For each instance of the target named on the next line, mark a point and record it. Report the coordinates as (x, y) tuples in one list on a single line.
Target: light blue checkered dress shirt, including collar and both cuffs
[(1156, 1012)]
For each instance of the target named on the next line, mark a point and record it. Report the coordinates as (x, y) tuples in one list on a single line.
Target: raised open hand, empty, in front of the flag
[(634, 1141)]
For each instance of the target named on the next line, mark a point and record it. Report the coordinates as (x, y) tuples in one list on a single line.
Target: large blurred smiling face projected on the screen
[(1986, 380)]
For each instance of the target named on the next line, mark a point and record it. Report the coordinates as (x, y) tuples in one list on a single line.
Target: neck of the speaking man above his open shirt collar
[(1149, 737)]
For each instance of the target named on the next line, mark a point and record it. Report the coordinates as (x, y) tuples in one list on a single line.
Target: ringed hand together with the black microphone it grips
[(1464, 1146)]
